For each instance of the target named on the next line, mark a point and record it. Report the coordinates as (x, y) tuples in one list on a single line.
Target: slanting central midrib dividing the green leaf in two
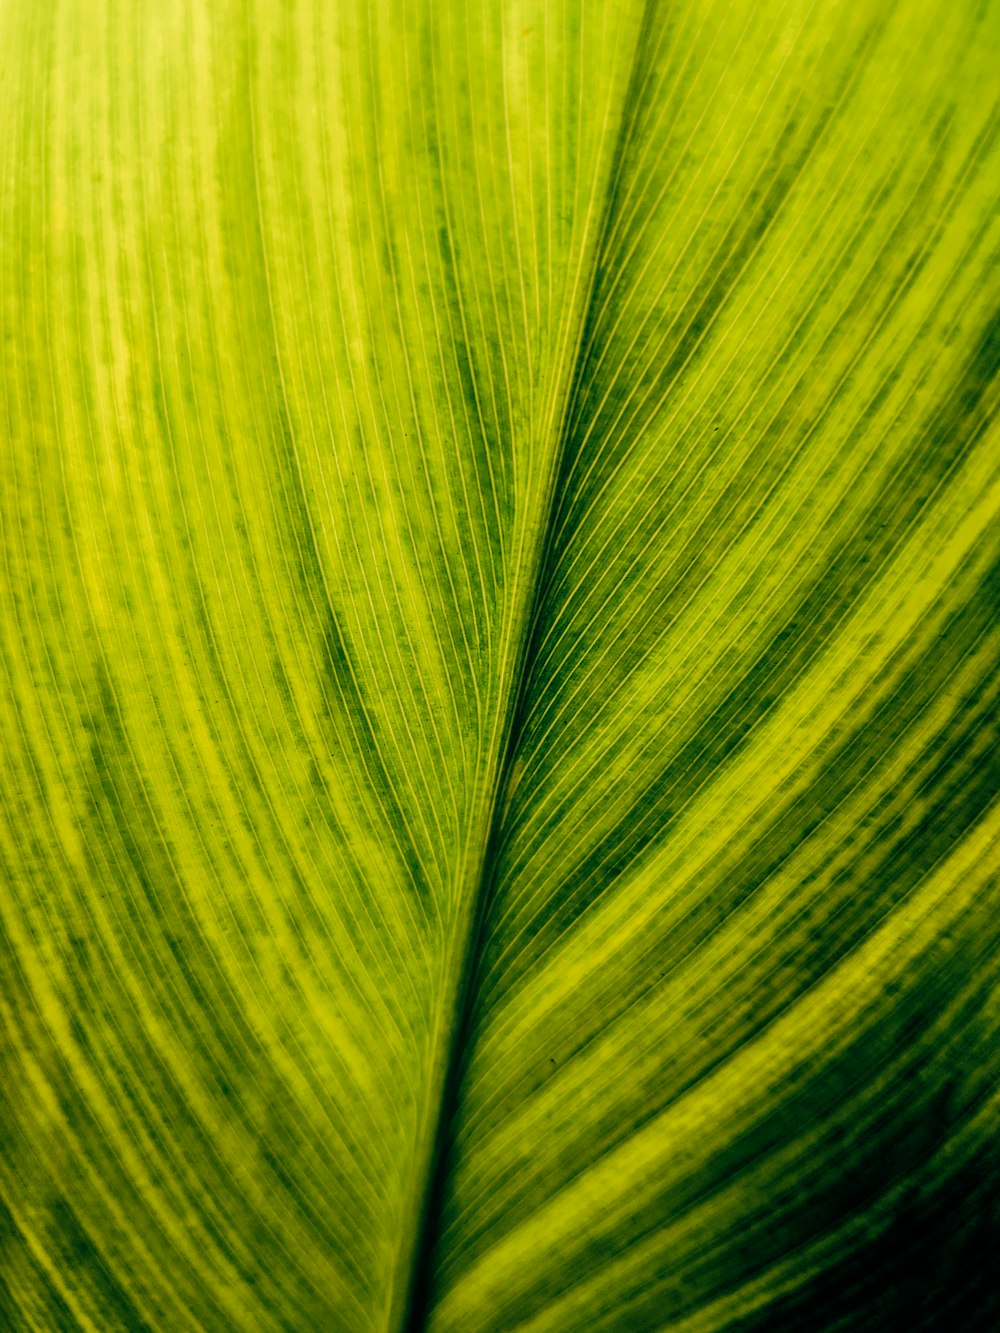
[(411, 1294)]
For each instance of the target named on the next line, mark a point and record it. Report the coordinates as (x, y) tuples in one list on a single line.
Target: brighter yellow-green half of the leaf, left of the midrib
[(290, 306)]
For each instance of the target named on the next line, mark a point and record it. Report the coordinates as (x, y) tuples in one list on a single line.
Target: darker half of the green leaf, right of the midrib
[(735, 1058)]
